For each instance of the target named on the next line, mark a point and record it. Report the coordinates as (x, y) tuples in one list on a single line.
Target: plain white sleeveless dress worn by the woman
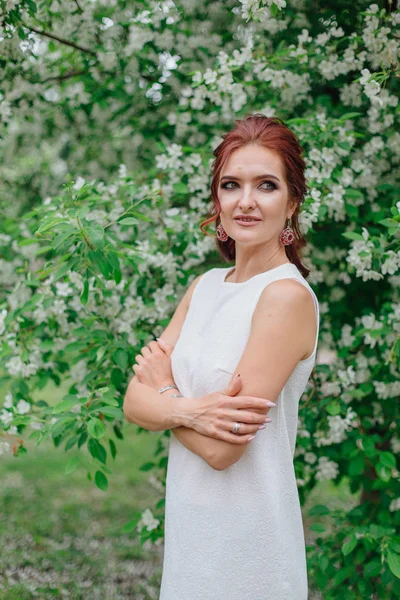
[(235, 534)]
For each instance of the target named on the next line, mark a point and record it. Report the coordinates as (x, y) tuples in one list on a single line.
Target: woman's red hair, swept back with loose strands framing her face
[(273, 134)]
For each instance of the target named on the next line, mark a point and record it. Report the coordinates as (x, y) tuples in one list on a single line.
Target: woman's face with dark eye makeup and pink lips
[(252, 183)]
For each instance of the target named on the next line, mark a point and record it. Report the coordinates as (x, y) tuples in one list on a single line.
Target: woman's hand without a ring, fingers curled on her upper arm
[(153, 366)]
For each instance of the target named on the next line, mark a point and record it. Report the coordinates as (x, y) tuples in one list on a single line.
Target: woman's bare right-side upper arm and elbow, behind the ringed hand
[(280, 333)]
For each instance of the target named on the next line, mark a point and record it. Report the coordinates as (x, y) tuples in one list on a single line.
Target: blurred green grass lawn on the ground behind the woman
[(60, 536)]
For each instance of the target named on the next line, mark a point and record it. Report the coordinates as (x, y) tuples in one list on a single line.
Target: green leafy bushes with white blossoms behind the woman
[(110, 112)]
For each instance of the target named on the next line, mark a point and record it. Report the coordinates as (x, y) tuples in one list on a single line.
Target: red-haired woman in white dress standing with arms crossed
[(233, 525)]
